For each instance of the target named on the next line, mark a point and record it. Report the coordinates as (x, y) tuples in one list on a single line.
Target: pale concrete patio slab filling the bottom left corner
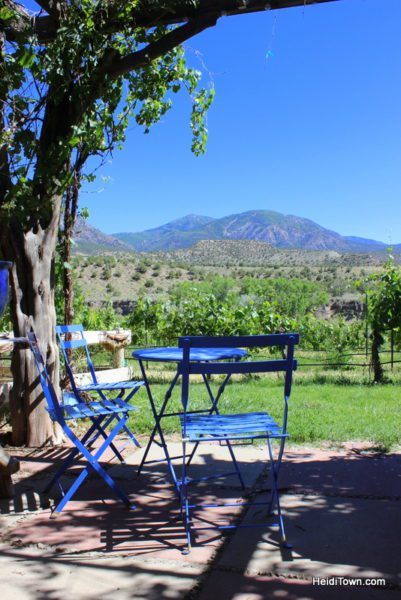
[(34, 574)]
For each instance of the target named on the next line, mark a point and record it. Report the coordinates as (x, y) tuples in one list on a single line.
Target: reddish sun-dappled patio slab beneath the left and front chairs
[(90, 525)]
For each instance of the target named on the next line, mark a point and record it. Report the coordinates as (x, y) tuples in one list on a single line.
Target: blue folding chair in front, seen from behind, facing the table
[(243, 427)]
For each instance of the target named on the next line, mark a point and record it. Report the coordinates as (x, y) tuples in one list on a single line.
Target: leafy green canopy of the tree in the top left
[(76, 94)]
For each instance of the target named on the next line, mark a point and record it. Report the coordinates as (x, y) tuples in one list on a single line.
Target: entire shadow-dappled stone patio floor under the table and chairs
[(342, 513)]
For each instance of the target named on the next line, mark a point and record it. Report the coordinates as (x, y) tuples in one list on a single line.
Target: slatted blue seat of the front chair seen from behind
[(239, 426)]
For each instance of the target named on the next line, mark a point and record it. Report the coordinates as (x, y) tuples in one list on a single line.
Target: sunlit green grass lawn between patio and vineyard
[(317, 412)]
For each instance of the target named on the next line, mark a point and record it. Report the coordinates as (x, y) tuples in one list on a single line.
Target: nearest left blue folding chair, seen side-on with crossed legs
[(77, 409)]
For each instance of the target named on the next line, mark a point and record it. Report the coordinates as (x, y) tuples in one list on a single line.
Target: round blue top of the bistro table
[(174, 354)]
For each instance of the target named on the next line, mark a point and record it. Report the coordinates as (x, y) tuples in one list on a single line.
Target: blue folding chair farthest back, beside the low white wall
[(122, 387)]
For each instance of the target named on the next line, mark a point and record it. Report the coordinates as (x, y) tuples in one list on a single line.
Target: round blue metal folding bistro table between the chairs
[(175, 355)]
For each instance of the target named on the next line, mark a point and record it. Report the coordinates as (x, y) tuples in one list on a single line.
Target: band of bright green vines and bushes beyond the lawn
[(216, 307)]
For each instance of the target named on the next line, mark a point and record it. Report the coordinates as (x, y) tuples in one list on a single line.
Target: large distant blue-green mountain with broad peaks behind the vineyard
[(276, 229)]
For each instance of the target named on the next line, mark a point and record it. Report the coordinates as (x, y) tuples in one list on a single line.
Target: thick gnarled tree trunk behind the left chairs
[(32, 302)]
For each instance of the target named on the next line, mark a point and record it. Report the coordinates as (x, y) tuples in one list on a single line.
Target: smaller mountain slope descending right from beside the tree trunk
[(90, 240)]
